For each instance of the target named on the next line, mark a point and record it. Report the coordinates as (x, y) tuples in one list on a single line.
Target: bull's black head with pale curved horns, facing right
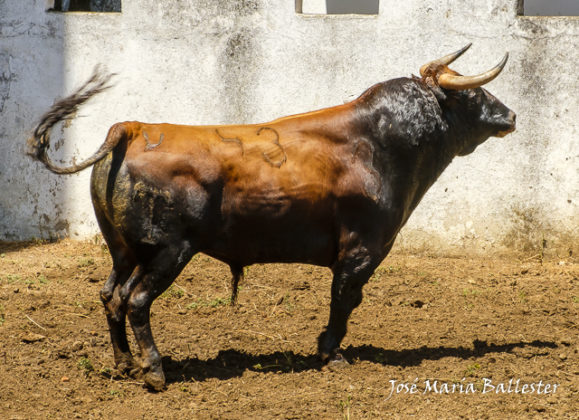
[(470, 100)]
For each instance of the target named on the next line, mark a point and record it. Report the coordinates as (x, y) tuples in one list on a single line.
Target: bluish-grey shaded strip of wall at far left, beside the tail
[(29, 82)]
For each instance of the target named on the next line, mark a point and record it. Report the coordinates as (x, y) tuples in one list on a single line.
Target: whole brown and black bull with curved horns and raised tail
[(331, 187)]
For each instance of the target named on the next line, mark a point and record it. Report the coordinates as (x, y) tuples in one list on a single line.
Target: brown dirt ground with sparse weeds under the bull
[(435, 337)]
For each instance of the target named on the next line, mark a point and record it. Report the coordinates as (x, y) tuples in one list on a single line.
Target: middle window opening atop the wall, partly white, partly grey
[(338, 7)]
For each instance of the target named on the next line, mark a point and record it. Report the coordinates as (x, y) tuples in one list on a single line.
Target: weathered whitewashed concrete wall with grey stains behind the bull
[(207, 61)]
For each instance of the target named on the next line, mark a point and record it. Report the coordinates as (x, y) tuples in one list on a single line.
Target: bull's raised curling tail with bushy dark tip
[(64, 109)]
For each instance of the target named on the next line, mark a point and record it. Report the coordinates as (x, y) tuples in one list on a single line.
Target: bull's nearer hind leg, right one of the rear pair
[(158, 274)]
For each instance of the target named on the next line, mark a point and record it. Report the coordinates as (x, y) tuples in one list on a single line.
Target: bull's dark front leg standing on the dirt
[(350, 275)]
